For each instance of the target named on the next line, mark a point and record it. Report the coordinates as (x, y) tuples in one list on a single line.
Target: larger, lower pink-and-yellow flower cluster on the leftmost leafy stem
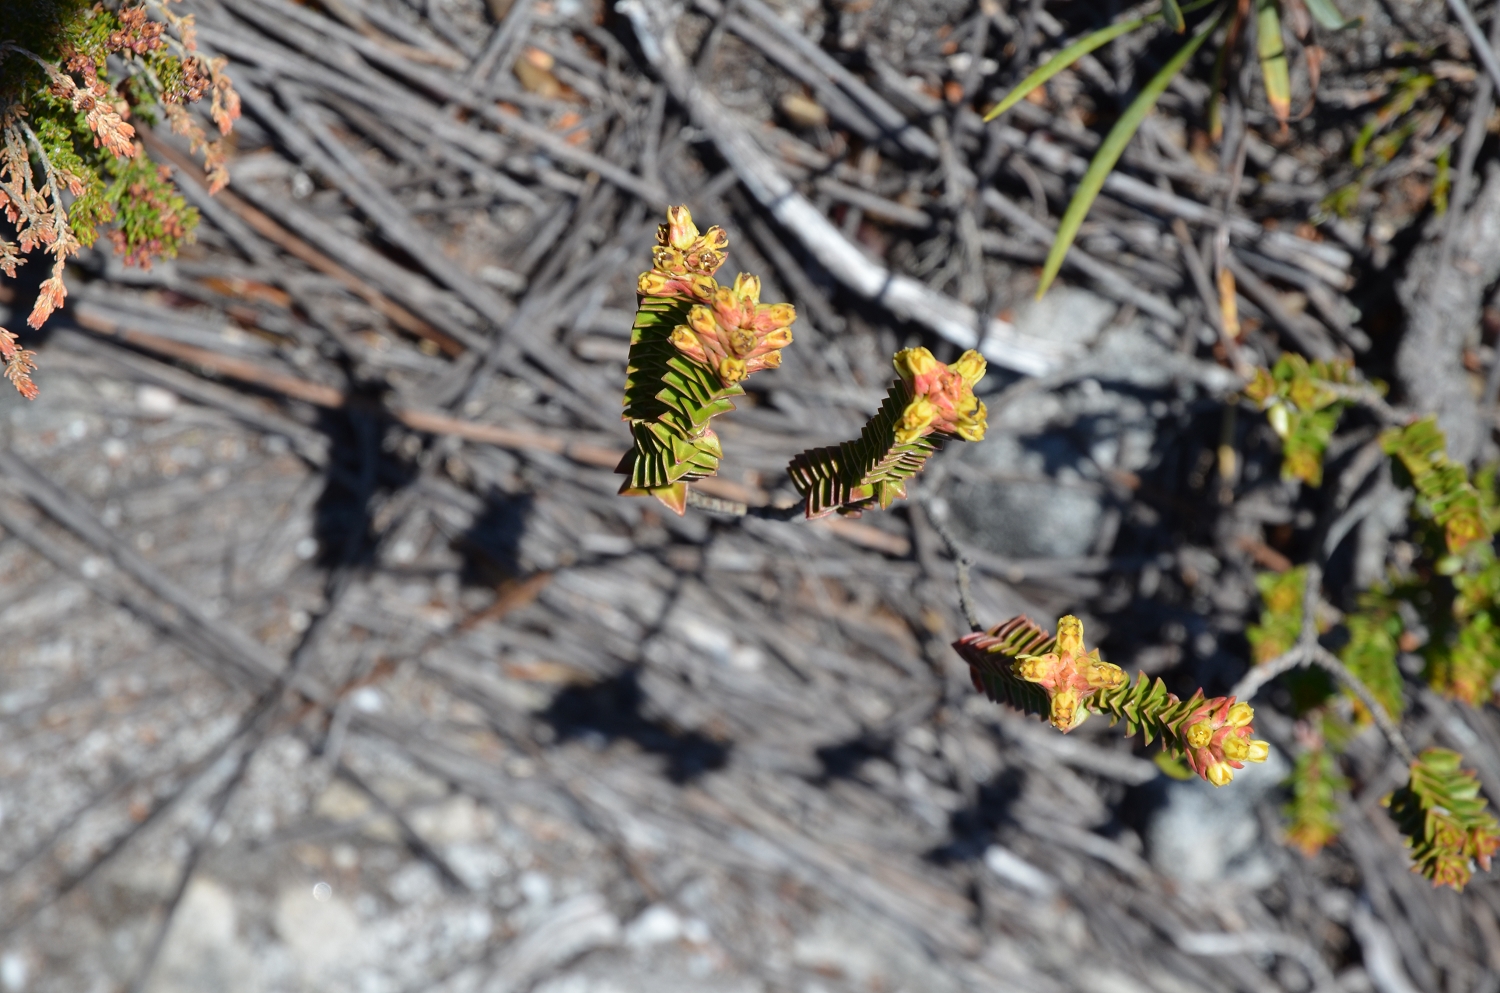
[(737, 335)]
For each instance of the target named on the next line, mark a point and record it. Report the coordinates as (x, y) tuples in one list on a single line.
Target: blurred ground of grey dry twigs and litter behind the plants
[(332, 661)]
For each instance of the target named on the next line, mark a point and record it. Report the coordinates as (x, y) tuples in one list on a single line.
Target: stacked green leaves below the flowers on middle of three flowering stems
[(871, 470)]
